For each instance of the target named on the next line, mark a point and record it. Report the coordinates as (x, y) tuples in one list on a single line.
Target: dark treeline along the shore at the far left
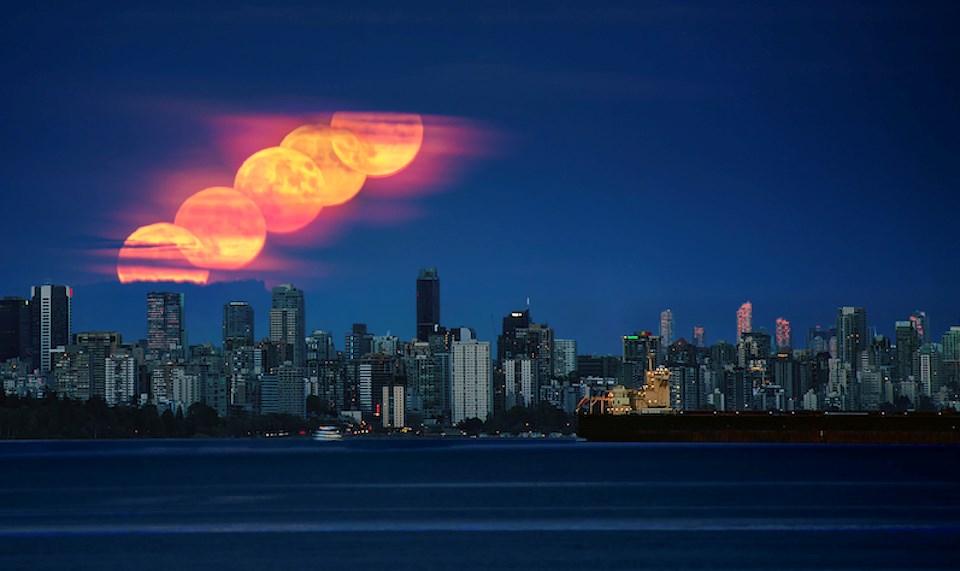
[(52, 417)]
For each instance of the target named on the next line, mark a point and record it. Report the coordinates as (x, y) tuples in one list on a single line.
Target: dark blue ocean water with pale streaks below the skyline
[(476, 504)]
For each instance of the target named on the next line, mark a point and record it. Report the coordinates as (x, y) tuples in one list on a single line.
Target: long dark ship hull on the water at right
[(776, 428)]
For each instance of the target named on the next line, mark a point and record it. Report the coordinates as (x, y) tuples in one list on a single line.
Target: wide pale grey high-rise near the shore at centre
[(471, 381)]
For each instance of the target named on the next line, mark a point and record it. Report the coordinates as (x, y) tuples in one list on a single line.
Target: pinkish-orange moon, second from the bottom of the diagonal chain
[(228, 224)]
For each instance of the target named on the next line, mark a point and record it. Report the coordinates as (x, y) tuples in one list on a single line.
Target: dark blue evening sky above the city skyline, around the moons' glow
[(690, 155)]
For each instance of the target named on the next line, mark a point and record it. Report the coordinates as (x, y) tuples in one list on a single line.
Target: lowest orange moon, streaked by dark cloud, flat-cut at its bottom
[(154, 253)]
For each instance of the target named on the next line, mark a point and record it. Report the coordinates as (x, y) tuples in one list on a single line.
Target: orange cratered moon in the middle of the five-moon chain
[(287, 186)]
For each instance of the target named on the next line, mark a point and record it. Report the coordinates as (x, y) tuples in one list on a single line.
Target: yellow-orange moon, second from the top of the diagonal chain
[(316, 141)]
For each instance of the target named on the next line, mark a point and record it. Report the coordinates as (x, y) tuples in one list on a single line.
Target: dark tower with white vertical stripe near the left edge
[(51, 309)]
